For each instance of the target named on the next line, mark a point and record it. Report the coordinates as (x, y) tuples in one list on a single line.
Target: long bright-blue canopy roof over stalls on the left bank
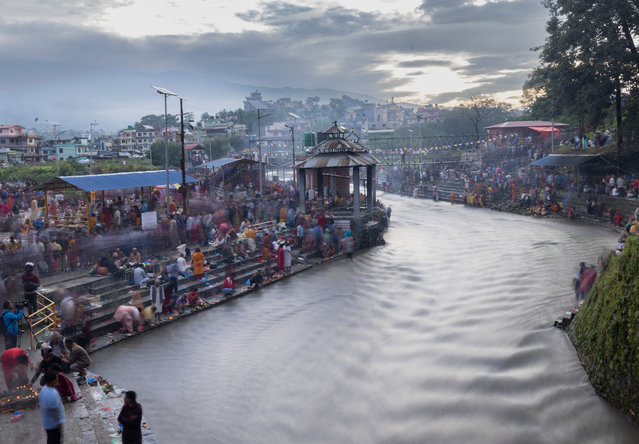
[(115, 181)]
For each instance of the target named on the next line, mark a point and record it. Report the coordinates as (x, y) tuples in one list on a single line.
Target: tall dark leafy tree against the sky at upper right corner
[(589, 60)]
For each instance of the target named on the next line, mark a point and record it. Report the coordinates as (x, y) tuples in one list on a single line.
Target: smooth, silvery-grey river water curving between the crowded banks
[(444, 335)]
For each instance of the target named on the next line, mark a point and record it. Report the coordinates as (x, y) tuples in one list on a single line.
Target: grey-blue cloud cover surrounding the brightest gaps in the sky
[(58, 51)]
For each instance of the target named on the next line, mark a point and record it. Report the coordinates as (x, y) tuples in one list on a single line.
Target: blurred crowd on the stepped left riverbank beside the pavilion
[(234, 227)]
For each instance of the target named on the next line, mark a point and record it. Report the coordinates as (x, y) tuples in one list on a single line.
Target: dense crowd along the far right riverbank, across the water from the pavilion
[(504, 177)]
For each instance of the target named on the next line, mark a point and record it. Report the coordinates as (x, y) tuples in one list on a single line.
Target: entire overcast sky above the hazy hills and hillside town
[(80, 61)]
